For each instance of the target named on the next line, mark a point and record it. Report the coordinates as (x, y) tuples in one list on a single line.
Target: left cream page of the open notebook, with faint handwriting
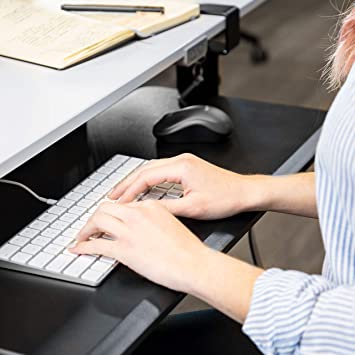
[(53, 38)]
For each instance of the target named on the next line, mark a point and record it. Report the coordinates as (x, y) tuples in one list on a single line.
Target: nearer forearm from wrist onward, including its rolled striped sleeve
[(282, 311)]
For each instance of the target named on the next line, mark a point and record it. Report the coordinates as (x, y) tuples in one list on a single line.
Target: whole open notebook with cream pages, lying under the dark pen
[(39, 31)]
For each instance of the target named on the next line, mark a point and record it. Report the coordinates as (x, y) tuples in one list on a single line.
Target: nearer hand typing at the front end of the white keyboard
[(148, 239)]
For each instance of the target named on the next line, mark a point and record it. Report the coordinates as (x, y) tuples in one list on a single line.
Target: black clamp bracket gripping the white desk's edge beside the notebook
[(232, 30)]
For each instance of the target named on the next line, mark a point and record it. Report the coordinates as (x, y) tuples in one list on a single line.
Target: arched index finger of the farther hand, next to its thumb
[(149, 178)]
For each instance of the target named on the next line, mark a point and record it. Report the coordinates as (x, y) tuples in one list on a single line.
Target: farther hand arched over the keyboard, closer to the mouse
[(210, 192)]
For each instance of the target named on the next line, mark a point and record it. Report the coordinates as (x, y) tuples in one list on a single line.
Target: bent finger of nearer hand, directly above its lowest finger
[(101, 223)]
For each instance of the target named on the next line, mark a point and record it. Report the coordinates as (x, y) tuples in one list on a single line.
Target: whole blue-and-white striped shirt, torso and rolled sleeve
[(295, 313)]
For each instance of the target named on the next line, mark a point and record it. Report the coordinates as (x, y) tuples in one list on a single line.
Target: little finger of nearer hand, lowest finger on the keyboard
[(97, 246)]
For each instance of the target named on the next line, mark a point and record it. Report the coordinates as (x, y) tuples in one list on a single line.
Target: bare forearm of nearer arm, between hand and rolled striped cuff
[(223, 282)]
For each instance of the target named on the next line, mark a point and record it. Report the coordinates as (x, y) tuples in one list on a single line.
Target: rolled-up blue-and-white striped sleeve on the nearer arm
[(292, 312)]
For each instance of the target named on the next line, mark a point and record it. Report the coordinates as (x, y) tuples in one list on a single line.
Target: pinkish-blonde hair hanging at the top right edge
[(343, 57)]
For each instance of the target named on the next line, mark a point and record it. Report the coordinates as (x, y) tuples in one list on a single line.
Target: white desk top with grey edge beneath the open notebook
[(38, 105)]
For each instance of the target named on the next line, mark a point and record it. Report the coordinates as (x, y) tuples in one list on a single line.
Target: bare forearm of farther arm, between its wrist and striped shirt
[(294, 194)]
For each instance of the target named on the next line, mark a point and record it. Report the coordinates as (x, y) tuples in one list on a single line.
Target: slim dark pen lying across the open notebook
[(111, 8)]
